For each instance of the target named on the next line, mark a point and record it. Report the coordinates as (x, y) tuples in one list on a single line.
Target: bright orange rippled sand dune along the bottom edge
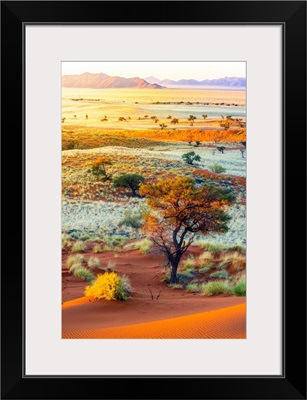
[(224, 323)]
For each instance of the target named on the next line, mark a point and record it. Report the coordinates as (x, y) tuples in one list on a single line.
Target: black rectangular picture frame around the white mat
[(292, 16)]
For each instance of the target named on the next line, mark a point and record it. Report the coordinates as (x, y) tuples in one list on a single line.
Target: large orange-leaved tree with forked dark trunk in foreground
[(180, 211)]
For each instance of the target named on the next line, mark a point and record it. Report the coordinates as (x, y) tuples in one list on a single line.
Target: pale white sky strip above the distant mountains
[(161, 70)]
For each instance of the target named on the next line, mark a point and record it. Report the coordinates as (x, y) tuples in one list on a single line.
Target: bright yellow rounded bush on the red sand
[(109, 286)]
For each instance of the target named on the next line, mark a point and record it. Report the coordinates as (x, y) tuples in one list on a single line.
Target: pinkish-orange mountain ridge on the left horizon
[(104, 81)]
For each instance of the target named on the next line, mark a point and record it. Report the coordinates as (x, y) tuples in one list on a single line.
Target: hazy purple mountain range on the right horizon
[(226, 82)]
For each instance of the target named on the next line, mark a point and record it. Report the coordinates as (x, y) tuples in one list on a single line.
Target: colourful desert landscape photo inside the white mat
[(154, 200)]
